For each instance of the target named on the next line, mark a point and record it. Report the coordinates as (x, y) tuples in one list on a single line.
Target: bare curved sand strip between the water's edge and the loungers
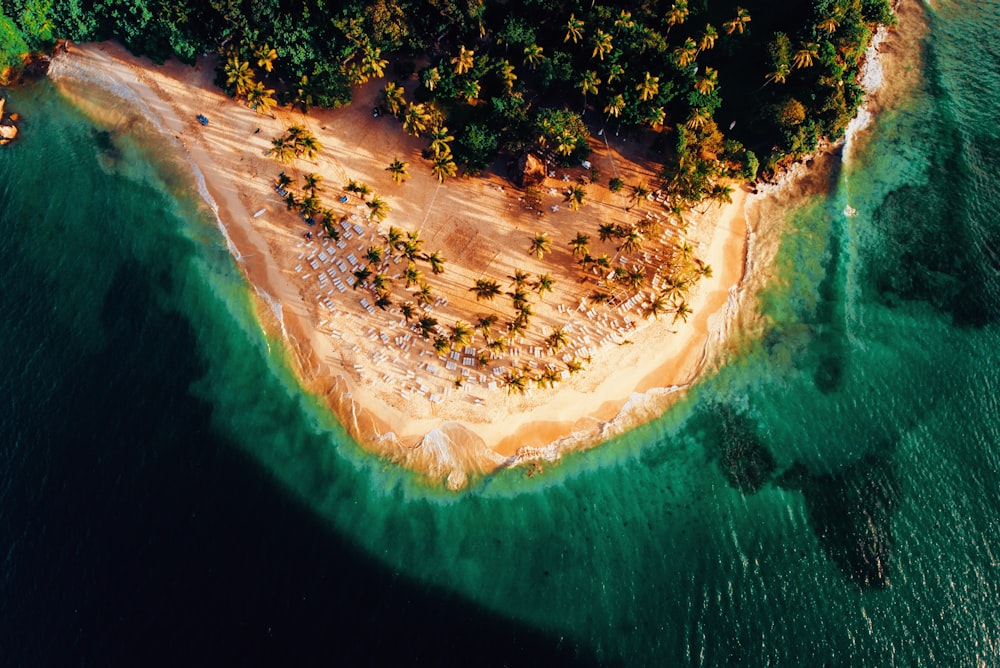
[(635, 385)]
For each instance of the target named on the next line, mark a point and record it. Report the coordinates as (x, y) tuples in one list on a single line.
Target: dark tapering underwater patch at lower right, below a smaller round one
[(851, 513)]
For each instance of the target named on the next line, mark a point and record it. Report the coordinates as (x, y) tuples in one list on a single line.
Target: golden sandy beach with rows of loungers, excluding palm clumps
[(444, 416)]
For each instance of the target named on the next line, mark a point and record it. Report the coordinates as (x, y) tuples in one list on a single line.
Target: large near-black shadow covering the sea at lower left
[(140, 537)]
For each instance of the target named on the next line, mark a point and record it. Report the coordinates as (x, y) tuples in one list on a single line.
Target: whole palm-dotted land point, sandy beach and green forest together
[(487, 232)]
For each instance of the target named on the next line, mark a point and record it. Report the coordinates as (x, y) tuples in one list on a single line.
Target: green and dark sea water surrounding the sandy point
[(827, 495)]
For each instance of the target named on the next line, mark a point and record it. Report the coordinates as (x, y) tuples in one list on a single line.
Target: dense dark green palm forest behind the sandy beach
[(710, 85)]
